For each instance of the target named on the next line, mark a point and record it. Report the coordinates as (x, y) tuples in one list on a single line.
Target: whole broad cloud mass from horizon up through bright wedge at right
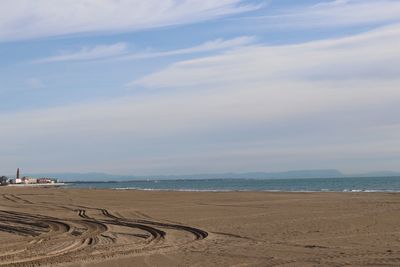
[(330, 104)]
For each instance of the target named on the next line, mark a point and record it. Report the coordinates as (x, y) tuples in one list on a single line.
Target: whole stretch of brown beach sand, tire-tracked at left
[(72, 227)]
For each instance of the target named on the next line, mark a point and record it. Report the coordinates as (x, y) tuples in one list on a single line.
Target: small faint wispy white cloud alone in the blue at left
[(89, 53)]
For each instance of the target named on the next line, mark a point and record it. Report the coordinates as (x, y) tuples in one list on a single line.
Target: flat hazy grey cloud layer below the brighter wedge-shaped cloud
[(187, 132)]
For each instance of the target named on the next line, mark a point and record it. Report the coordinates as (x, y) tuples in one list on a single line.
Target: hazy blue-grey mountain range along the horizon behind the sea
[(94, 176)]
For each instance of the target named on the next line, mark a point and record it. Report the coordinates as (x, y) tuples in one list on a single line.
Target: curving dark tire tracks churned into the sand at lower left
[(52, 240)]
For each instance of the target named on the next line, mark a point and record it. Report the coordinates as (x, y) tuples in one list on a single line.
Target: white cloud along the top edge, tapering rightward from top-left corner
[(24, 19)]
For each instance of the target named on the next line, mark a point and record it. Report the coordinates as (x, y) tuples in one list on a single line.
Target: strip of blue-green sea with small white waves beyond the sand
[(370, 184)]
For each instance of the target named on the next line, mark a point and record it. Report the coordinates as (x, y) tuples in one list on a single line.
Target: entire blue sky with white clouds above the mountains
[(186, 86)]
